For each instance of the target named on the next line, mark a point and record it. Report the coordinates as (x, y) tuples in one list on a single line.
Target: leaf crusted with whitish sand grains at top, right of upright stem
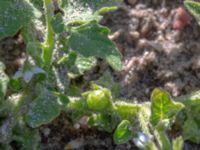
[(84, 10)]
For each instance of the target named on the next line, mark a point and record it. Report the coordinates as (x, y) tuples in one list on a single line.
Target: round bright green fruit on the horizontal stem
[(99, 100)]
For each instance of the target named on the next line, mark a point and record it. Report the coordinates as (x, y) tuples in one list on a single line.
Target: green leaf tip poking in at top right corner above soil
[(194, 8)]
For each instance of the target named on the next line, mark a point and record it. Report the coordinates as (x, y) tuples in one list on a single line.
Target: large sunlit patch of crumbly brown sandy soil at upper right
[(155, 54)]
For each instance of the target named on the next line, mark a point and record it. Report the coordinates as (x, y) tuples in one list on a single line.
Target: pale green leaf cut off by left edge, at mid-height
[(3, 81)]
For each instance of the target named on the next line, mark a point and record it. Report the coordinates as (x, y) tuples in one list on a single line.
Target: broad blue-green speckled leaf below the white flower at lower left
[(44, 109)]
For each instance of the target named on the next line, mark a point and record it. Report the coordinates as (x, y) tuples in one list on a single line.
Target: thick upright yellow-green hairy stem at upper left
[(49, 42)]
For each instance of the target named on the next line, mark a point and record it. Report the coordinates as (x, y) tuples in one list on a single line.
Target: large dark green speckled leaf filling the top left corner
[(14, 14)]
